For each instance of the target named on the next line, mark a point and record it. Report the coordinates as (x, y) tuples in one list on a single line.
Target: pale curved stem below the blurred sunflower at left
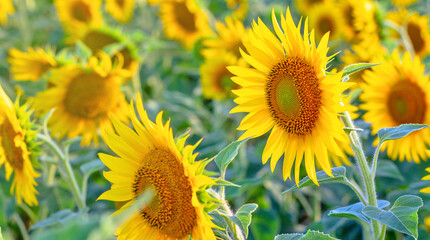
[(69, 176)]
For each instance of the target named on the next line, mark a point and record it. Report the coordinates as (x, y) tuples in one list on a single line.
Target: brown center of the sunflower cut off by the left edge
[(13, 154)]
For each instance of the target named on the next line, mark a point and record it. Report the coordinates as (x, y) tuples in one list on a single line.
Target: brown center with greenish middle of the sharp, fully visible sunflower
[(293, 95)]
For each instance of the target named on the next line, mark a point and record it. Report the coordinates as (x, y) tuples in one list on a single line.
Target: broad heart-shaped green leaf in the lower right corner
[(402, 216)]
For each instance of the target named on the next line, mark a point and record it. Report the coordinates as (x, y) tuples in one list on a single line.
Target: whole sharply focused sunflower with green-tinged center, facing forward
[(288, 93)]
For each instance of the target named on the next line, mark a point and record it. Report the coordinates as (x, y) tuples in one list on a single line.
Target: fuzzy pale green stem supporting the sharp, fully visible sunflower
[(364, 168)]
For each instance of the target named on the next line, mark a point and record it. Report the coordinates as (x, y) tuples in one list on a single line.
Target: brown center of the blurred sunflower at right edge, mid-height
[(406, 103)]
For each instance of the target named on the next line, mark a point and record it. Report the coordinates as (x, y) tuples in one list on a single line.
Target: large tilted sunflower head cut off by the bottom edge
[(148, 157)]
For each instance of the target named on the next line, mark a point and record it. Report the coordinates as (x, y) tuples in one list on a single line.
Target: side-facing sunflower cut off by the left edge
[(18, 149)]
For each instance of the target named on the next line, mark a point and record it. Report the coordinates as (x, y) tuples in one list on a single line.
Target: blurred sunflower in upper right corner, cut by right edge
[(417, 29)]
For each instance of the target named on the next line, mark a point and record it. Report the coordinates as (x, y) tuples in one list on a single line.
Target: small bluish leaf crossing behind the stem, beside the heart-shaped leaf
[(354, 211)]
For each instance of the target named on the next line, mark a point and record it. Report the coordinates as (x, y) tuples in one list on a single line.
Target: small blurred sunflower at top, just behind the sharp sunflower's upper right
[(325, 18)]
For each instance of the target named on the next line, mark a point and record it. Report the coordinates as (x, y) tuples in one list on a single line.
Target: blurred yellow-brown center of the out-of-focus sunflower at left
[(90, 96)]
